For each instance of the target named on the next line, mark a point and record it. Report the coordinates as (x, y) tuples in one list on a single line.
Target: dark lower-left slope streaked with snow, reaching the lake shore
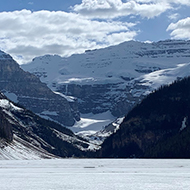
[(25, 135)]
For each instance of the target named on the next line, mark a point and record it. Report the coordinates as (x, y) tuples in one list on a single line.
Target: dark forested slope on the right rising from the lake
[(159, 127)]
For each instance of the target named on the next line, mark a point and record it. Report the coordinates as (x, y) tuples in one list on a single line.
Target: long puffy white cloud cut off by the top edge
[(116, 8)]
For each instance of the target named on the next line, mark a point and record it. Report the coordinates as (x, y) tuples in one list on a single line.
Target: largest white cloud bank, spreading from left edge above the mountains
[(25, 34)]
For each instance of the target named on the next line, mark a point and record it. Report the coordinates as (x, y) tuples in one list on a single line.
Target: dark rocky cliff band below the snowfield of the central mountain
[(98, 98)]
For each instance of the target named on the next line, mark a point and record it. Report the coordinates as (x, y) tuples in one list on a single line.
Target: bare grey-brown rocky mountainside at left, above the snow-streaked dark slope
[(27, 90)]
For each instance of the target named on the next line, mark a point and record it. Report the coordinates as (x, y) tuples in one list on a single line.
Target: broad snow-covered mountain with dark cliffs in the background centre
[(114, 79)]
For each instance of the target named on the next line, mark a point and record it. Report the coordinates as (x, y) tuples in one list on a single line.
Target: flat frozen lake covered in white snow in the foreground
[(95, 174)]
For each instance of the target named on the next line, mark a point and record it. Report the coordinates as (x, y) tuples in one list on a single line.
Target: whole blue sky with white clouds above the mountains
[(31, 28)]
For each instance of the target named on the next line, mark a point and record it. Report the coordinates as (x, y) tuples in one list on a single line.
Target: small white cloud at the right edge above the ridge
[(181, 29)]
